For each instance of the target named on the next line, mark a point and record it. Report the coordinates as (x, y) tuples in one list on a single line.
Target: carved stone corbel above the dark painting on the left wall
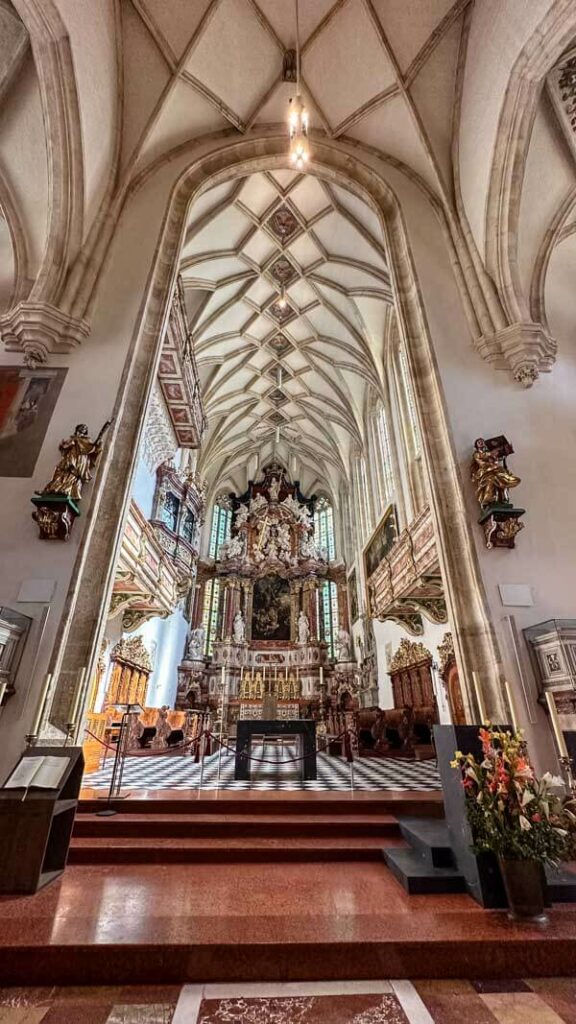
[(38, 330)]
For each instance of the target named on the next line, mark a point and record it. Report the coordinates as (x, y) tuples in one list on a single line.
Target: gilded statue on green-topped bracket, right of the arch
[(493, 481)]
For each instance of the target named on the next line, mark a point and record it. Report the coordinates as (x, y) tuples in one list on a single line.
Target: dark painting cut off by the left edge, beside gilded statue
[(27, 403)]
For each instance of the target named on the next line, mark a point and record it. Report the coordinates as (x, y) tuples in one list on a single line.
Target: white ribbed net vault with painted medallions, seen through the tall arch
[(305, 369)]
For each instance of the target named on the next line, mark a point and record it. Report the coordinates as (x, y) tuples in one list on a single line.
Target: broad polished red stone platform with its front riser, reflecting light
[(200, 923)]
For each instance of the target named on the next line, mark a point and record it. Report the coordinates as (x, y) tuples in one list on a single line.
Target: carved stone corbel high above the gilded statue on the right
[(525, 350)]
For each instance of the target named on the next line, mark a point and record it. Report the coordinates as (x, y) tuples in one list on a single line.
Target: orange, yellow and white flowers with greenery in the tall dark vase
[(512, 813)]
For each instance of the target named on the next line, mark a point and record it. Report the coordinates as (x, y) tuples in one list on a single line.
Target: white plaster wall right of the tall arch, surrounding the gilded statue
[(540, 422)]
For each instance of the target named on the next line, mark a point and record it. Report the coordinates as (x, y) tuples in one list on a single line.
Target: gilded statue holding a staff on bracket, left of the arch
[(58, 504)]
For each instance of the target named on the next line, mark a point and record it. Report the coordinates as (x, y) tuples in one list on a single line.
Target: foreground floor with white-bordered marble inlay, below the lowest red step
[(550, 1001)]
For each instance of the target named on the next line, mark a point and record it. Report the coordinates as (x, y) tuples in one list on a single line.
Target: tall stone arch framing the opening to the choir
[(80, 632)]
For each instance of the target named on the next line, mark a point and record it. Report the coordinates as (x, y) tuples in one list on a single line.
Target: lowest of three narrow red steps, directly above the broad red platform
[(223, 851)]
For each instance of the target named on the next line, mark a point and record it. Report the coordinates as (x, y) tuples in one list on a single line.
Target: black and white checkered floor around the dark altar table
[(158, 773)]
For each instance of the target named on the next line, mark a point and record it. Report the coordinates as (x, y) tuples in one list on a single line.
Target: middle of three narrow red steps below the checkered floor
[(183, 826)]
